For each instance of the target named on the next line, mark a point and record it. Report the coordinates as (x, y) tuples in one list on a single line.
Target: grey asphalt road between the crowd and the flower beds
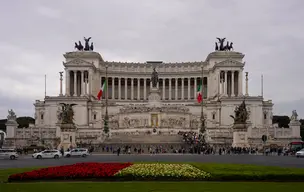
[(281, 161)]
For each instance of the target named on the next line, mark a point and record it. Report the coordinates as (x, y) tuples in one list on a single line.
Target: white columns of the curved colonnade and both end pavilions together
[(119, 88)]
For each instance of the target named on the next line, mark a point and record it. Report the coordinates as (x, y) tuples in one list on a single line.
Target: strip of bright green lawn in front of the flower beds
[(153, 187)]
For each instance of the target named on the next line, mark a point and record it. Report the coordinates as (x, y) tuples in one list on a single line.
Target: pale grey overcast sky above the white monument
[(35, 34)]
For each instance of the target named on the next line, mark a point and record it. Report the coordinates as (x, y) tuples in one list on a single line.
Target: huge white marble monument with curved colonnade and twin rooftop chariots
[(143, 108)]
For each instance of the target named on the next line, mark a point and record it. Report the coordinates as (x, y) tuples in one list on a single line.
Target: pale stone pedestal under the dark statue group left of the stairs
[(67, 136)]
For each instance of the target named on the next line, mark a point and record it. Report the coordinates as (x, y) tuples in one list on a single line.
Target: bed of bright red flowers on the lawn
[(72, 172)]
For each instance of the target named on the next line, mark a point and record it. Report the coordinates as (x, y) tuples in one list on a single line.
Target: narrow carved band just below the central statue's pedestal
[(145, 109)]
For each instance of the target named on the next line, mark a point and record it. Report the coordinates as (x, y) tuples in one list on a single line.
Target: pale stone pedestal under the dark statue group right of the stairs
[(240, 135)]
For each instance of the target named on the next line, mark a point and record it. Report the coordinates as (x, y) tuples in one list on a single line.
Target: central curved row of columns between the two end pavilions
[(139, 88)]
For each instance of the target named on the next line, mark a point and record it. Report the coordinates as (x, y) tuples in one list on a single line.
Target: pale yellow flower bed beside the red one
[(163, 172)]
